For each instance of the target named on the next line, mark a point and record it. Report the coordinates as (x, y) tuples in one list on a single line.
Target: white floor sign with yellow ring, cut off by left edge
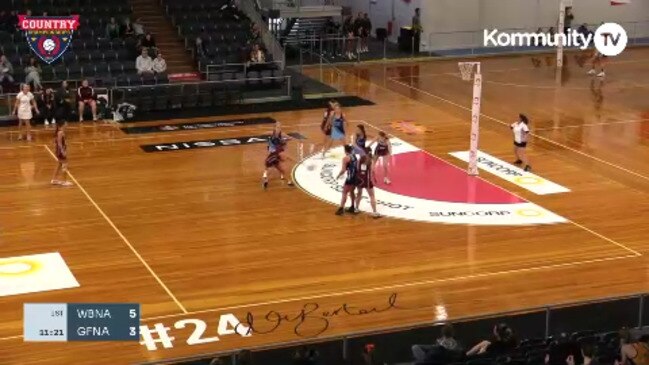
[(34, 273)]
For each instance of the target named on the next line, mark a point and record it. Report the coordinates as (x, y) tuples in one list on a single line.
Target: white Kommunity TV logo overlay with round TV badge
[(610, 39)]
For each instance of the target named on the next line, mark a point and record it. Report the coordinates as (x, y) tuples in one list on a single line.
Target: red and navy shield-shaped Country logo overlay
[(49, 37)]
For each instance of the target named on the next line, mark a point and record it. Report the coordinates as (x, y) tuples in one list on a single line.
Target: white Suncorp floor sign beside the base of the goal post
[(513, 174)]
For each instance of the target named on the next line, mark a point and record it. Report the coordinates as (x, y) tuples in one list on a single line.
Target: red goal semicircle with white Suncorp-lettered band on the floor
[(425, 188)]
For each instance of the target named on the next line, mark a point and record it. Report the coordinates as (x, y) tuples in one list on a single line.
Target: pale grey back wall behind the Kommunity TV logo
[(439, 16)]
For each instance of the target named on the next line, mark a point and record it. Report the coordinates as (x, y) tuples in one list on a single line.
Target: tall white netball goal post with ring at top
[(471, 71)]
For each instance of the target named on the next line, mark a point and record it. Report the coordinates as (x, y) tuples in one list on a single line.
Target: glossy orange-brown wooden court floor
[(192, 237)]
